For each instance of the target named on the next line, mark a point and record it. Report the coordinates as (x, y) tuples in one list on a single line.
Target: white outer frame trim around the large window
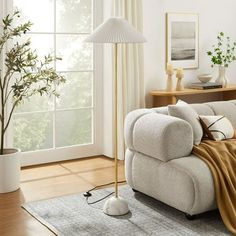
[(73, 152)]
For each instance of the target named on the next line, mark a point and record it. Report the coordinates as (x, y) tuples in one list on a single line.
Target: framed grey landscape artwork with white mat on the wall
[(182, 40)]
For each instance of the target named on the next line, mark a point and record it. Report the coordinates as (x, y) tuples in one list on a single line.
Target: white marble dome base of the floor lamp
[(116, 206)]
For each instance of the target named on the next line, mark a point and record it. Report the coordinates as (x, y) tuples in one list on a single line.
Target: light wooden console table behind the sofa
[(164, 98)]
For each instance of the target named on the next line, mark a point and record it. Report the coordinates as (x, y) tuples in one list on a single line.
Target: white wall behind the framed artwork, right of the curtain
[(214, 16)]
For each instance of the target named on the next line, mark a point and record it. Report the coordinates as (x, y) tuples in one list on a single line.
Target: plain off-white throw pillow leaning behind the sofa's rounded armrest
[(184, 111)]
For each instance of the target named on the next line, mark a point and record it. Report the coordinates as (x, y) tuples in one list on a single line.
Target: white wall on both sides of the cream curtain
[(214, 16)]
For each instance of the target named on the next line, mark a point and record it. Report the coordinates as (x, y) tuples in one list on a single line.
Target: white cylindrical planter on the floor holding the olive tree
[(10, 170)]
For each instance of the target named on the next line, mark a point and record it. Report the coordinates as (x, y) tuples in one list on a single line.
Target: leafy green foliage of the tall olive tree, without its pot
[(32, 75)]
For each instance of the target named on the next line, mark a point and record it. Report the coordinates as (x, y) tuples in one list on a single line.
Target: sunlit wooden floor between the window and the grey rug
[(48, 181)]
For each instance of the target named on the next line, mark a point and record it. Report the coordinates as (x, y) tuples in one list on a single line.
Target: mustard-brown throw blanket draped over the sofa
[(220, 156)]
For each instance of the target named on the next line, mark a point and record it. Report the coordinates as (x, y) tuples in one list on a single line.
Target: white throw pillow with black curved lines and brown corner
[(217, 127)]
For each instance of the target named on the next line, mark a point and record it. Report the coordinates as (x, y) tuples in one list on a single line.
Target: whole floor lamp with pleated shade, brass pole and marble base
[(116, 30)]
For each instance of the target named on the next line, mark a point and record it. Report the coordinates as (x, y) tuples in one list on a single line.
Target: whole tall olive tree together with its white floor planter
[(22, 75)]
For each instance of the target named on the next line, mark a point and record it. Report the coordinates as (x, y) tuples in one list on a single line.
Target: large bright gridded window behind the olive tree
[(70, 122)]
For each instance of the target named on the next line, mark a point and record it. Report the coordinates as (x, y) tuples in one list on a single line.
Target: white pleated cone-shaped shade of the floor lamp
[(116, 30)]
